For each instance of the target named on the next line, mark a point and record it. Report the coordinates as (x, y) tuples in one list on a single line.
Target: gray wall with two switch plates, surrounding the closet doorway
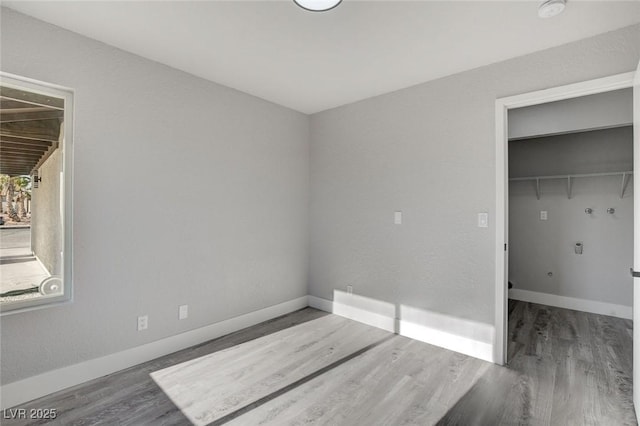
[(429, 151)]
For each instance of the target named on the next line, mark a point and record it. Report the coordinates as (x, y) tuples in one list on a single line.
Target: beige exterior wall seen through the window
[(46, 221)]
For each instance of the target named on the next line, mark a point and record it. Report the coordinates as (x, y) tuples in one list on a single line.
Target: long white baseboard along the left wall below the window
[(38, 386)]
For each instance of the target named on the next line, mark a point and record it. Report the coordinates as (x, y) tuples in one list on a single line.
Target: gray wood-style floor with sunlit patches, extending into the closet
[(566, 368)]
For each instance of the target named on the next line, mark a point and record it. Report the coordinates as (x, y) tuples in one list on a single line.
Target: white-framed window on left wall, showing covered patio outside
[(36, 136)]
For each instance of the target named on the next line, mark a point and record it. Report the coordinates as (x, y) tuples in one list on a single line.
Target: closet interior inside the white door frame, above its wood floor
[(570, 206)]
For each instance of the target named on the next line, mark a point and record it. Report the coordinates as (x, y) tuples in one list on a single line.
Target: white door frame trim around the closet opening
[(503, 105)]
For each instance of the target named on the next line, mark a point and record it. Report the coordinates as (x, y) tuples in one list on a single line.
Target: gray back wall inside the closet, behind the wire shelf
[(601, 273)]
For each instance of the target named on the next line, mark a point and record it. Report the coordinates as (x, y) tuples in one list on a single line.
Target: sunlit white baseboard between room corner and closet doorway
[(428, 327)]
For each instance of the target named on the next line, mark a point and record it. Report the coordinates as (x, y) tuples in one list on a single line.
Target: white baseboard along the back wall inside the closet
[(584, 305)]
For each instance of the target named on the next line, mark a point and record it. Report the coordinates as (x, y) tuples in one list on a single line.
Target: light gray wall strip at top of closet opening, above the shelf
[(608, 109)]
